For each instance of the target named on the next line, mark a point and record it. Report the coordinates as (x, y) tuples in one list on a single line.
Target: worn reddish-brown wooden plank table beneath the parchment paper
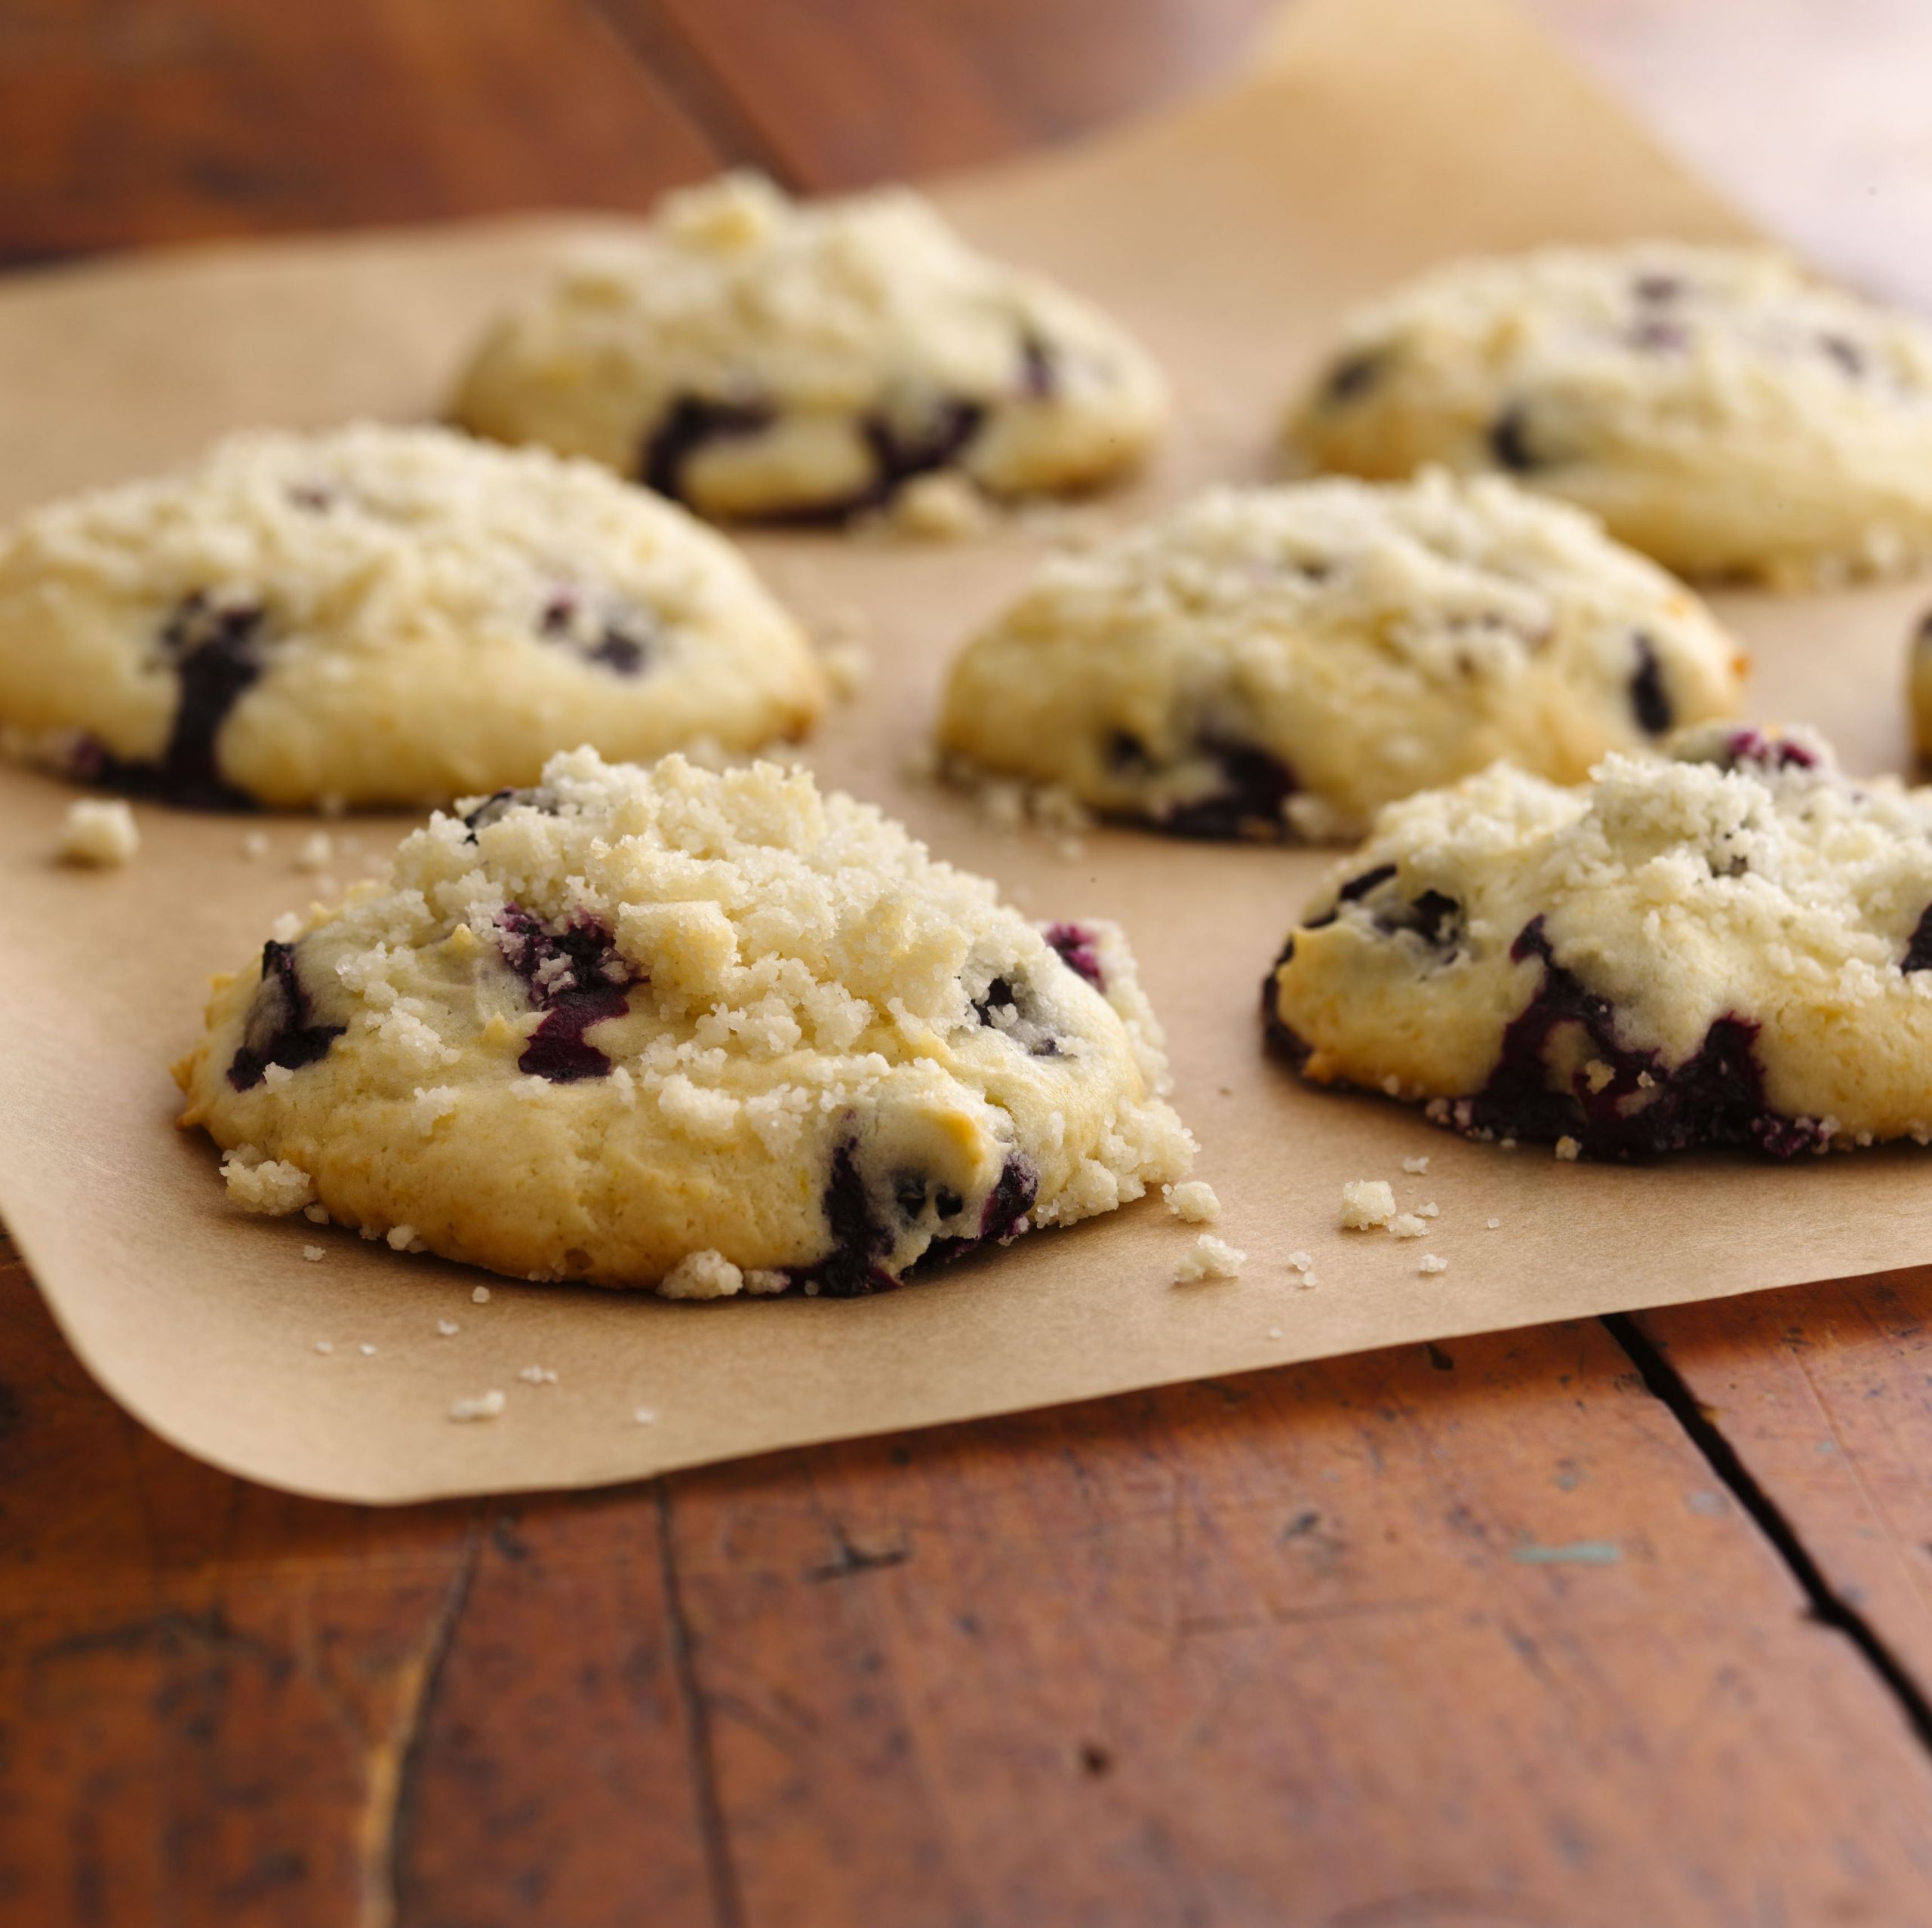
[(1606, 1624)]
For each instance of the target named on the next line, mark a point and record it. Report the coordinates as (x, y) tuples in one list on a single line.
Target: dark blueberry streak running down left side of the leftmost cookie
[(217, 652)]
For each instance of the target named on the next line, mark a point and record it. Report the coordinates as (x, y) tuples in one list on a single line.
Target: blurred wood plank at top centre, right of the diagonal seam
[(845, 94)]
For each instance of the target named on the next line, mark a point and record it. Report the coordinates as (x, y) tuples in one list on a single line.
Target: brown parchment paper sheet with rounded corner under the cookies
[(1378, 138)]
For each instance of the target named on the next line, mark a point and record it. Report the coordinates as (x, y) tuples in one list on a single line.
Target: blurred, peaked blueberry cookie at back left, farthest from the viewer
[(754, 356)]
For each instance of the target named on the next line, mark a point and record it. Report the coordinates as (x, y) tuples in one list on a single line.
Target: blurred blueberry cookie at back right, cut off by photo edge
[(1717, 407)]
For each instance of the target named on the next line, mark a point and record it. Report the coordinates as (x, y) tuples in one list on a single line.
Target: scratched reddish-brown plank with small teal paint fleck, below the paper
[(1438, 1637)]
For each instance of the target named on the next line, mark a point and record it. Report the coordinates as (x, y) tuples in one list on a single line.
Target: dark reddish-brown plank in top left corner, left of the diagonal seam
[(183, 119)]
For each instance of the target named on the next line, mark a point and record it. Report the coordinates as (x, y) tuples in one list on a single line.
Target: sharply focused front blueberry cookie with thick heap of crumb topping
[(704, 1033)]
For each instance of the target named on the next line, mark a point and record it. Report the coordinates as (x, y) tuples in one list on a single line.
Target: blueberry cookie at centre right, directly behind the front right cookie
[(1301, 656)]
